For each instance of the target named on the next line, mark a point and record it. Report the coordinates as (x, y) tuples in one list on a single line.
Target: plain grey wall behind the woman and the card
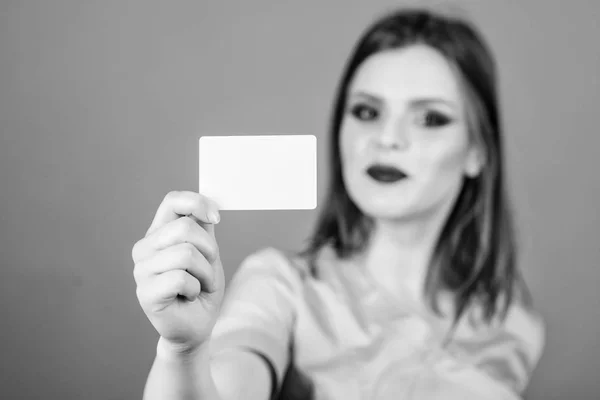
[(101, 106)]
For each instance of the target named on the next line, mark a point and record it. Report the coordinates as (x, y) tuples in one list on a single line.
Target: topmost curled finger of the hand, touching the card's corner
[(182, 203)]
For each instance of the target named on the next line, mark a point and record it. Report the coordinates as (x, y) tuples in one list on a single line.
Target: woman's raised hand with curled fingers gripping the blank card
[(178, 271)]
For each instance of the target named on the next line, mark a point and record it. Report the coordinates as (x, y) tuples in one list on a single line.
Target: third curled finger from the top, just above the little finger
[(184, 257)]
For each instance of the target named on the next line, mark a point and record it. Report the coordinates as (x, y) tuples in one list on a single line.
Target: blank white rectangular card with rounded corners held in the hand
[(265, 172)]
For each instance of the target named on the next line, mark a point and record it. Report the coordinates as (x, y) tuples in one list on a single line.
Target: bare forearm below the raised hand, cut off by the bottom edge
[(181, 376)]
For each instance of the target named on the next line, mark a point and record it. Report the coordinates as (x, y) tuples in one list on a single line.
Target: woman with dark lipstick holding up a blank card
[(408, 288)]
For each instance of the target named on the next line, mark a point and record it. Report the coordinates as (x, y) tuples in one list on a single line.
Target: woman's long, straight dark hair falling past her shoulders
[(475, 255)]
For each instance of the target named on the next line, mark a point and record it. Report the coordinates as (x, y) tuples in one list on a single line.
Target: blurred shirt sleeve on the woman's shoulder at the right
[(497, 365)]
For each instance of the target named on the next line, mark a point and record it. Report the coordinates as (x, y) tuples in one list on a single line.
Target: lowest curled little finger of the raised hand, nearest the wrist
[(164, 288)]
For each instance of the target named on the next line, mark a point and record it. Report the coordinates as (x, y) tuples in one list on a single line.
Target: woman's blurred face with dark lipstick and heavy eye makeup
[(405, 112)]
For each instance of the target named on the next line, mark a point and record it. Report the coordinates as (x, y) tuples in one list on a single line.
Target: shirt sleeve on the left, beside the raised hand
[(258, 310)]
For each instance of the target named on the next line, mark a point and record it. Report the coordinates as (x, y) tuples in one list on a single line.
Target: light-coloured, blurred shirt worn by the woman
[(342, 337)]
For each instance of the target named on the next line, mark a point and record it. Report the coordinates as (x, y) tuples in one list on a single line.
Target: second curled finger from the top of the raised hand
[(182, 230)]
